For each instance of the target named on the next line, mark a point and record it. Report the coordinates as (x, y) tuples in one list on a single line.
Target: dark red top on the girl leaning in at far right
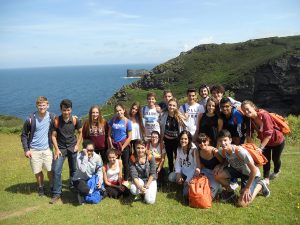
[(267, 129)]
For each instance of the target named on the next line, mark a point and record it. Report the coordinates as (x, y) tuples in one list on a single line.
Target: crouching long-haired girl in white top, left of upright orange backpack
[(187, 163)]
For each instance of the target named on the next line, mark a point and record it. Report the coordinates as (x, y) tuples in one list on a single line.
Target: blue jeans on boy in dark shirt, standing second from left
[(57, 166)]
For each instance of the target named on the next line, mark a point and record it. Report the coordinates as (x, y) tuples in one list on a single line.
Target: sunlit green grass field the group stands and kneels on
[(21, 205)]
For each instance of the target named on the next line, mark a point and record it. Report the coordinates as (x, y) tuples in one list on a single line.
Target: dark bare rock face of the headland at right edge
[(274, 86)]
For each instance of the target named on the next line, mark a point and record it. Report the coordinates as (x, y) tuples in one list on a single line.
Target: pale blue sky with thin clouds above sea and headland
[(37, 33)]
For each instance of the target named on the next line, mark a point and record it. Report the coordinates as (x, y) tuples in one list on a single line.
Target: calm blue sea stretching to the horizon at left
[(84, 85)]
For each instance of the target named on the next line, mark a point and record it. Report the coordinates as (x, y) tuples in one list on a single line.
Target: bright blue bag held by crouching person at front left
[(95, 195)]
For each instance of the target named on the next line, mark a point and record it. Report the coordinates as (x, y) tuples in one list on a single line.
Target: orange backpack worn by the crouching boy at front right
[(258, 158)]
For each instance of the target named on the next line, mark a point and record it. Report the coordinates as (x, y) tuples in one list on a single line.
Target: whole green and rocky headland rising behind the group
[(266, 71)]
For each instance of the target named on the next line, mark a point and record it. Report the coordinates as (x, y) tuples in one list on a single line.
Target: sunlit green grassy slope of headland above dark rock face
[(225, 63)]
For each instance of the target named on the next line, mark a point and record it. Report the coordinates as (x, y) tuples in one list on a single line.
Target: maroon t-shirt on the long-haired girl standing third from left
[(98, 135)]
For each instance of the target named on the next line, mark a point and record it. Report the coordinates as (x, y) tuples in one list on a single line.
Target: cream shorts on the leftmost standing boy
[(41, 159)]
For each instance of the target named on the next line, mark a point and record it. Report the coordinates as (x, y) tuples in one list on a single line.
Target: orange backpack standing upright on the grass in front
[(199, 193)]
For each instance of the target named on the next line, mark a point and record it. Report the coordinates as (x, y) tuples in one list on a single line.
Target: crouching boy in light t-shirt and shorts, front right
[(239, 166)]
